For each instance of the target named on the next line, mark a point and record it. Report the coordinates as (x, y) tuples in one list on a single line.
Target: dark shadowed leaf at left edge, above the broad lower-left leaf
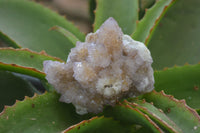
[(13, 87)]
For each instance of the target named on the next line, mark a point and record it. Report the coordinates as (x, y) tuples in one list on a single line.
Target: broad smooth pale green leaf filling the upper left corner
[(27, 24)]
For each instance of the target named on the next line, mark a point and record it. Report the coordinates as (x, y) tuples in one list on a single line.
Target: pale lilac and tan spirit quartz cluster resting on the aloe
[(105, 68)]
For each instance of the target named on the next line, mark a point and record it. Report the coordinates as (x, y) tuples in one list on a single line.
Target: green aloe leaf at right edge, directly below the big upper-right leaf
[(181, 82)]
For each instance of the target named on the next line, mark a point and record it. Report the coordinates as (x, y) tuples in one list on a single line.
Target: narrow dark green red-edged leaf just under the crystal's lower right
[(128, 115)]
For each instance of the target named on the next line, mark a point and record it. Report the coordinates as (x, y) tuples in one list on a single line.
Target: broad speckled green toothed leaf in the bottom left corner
[(41, 114)]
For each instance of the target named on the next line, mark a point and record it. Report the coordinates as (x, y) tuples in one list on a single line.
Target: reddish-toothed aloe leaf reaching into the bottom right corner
[(186, 118)]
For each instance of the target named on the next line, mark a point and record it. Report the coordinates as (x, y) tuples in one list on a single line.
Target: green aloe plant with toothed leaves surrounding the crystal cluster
[(34, 34)]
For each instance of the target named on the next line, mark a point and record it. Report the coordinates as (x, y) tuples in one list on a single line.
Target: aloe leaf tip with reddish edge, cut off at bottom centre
[(98, 125)]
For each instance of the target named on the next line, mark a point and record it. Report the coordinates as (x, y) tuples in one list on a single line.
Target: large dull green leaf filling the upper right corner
[(176, 40)]
